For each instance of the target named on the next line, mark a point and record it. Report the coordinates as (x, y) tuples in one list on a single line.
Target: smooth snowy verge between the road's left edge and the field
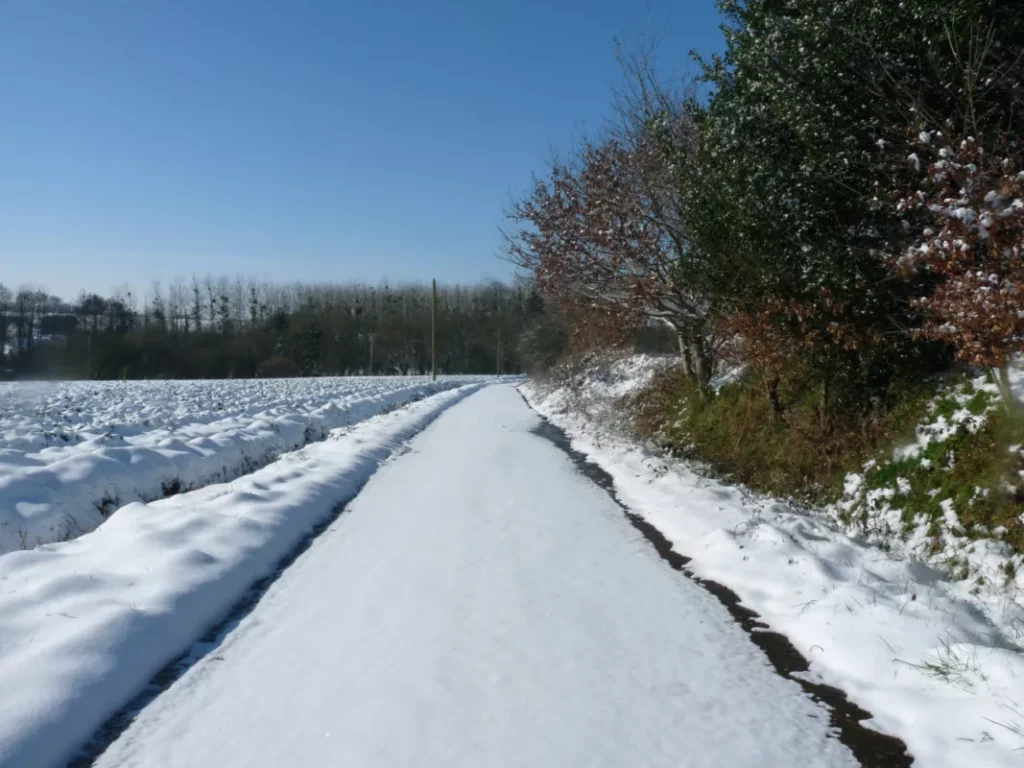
[(89, 623)]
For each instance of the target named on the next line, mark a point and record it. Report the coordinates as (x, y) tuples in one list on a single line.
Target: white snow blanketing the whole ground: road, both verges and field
[(480, 604)]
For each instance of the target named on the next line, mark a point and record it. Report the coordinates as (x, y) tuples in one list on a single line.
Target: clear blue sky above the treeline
[(327, 141)]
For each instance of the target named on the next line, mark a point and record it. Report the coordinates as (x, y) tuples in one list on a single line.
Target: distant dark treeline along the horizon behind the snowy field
[(220, 328)]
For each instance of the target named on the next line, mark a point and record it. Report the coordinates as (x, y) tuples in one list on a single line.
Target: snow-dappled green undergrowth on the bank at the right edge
[(953, 496)]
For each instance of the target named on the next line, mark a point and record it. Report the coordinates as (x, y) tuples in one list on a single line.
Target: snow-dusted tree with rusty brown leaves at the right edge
[(973, 246)]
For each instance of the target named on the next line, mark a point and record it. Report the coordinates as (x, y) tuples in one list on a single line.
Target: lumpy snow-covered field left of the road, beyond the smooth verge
[(71, 454)]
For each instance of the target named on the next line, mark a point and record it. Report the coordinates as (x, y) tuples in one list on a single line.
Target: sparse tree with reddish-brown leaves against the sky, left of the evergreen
[(604, 235)]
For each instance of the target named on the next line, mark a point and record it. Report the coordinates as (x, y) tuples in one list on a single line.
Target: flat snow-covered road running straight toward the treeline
[(482, 604)]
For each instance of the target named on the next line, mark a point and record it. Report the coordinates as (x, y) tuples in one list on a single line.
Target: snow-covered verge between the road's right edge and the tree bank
[(938, 667)]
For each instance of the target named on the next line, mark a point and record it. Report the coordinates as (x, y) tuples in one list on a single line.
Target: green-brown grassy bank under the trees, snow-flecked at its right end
[(807, 454)]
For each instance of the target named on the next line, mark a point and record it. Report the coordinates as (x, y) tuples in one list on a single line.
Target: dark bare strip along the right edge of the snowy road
[(873, 749)]
